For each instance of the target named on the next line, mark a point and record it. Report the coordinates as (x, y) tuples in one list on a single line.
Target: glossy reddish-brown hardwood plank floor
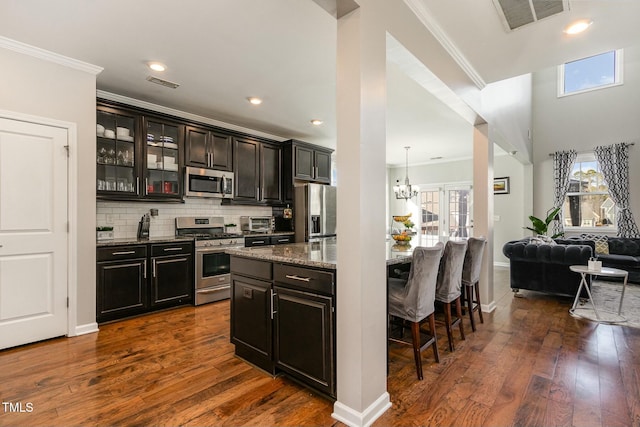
[(529, 364)]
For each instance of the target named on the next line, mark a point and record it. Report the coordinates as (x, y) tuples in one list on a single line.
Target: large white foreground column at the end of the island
[(361, 269)]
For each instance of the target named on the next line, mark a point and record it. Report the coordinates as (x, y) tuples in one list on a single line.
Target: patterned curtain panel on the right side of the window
[(614, 162)]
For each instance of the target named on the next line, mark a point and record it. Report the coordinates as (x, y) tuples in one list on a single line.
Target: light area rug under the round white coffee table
[(606, 296)]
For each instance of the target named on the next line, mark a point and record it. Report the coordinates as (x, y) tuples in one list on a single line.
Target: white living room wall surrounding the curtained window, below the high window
[(582, 122)]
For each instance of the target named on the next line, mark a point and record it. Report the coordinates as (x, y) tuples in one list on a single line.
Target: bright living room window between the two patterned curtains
[(587, 203)]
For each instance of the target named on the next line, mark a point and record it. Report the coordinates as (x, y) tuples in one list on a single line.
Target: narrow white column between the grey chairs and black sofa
[(483, 208)]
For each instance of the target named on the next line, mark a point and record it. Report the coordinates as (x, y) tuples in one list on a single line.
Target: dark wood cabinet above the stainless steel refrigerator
[(306, 163)]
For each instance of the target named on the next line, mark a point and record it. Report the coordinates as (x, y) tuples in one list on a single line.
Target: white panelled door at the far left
[(33, 232)]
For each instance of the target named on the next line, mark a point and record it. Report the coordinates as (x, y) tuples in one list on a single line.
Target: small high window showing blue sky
[(594, 72)]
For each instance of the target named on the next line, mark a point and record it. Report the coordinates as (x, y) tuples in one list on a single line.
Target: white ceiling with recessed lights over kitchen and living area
[(223, 51)]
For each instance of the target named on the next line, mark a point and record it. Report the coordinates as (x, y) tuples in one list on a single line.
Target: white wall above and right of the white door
[(42, 88)]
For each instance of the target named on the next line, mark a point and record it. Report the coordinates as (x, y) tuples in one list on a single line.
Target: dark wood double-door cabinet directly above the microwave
[(207, 148)]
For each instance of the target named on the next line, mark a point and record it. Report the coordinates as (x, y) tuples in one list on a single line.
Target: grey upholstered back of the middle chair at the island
[(450, 271)]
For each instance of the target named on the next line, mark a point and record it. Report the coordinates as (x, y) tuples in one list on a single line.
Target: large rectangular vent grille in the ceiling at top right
[(516, 13)]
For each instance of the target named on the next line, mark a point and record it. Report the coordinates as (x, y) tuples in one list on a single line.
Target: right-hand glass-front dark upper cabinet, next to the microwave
[(162, 150)]
